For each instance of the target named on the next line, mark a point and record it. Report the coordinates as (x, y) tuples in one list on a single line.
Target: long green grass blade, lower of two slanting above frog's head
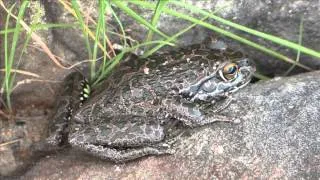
[(223, 32)]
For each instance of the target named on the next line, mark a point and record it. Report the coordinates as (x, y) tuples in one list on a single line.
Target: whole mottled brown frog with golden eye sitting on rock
[(146, 103)]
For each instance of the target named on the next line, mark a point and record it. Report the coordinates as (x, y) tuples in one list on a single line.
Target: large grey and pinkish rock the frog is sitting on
[(277, 137)]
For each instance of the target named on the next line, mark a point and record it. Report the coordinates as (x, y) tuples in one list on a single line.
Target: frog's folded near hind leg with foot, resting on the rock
[(122, 142)]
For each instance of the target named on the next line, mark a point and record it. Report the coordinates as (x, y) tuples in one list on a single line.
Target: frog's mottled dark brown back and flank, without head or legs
[(138, 86)]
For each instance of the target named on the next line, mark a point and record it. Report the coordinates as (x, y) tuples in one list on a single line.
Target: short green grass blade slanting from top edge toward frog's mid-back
[(134, 15)]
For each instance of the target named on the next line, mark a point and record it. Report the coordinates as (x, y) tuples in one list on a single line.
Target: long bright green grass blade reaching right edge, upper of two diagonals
[(272, 38)]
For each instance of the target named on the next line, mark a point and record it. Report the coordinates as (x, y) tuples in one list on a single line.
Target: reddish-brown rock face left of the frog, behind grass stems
[(33, 96)]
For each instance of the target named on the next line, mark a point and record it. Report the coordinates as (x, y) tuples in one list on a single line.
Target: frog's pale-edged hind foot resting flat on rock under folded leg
[(123, 155)]
